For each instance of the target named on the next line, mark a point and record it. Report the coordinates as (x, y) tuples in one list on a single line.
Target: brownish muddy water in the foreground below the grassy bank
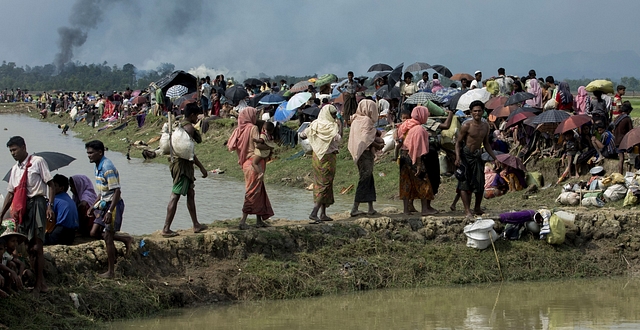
[(575, 304)]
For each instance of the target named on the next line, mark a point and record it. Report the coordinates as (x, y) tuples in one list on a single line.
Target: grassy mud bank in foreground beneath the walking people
[(292, 259)]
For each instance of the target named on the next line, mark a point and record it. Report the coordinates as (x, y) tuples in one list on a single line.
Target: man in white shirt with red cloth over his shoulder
[(27, 189)]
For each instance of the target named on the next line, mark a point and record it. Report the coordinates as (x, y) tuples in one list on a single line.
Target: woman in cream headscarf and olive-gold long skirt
[(324, 136)]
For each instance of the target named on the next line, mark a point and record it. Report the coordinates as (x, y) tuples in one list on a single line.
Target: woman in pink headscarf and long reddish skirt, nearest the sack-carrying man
[(242, 139)]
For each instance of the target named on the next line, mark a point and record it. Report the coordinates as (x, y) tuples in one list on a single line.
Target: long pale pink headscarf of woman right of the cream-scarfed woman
[(363, 128)]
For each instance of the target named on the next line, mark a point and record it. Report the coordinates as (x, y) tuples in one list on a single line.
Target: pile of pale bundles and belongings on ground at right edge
[(601, 189)]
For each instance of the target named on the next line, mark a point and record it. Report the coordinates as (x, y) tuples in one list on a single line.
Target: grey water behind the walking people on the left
[(146, 187)]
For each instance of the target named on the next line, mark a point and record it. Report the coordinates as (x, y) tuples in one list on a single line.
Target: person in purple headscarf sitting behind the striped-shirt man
[(83, 196)]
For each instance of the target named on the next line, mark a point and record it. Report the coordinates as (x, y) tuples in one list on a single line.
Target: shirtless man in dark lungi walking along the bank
[(473, 134)]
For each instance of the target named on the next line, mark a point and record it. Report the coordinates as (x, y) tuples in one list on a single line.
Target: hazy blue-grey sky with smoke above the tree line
[(248, 37)]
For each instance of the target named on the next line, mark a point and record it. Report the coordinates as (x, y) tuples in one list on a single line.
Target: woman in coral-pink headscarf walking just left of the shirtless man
[(414, 179)]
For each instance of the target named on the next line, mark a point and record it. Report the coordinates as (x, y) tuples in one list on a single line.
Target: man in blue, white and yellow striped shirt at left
[(109, 203)]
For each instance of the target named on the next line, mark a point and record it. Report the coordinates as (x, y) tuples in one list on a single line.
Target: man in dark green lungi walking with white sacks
[(183, 177)]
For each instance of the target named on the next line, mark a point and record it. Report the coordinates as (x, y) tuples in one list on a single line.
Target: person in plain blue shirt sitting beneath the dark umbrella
[(66, 222)]
